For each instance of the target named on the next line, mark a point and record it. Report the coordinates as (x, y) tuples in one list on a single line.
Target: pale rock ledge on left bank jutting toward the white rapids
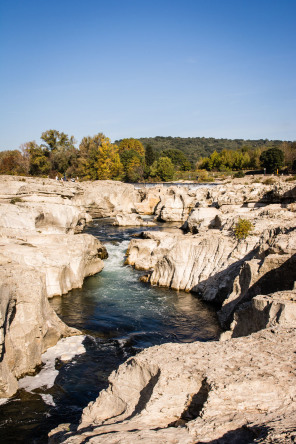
[(65, 260)]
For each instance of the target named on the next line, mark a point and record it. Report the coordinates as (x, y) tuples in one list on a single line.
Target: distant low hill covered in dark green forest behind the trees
[(196, 147)]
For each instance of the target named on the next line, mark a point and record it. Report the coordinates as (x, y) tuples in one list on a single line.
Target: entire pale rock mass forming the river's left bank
[(40, 257)]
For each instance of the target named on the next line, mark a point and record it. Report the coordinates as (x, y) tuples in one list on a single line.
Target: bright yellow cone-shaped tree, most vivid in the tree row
[(108, 163)]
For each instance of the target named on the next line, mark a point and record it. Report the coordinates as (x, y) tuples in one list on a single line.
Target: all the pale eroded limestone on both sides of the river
[(240, 388)]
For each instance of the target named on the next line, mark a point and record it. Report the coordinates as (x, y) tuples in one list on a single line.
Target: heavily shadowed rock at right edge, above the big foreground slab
[(272, 272)]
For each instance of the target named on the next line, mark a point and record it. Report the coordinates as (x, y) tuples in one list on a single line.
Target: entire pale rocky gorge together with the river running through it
[(192, 383)]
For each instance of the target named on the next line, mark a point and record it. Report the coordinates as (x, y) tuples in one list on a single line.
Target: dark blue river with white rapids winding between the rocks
[(119, 316)]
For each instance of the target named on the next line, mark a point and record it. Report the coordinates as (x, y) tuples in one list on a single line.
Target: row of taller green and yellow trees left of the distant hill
[(96, 158)]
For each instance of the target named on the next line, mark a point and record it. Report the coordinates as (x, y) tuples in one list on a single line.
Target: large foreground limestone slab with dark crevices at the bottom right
[(200, 392)]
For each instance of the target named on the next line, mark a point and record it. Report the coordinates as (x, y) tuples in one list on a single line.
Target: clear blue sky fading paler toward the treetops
[(140, 68)]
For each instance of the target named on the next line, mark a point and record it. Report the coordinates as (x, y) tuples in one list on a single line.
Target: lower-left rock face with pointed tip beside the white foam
[(28, 325)]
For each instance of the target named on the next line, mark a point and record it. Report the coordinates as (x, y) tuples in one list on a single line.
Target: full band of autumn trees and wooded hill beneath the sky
[(147, 159)]
